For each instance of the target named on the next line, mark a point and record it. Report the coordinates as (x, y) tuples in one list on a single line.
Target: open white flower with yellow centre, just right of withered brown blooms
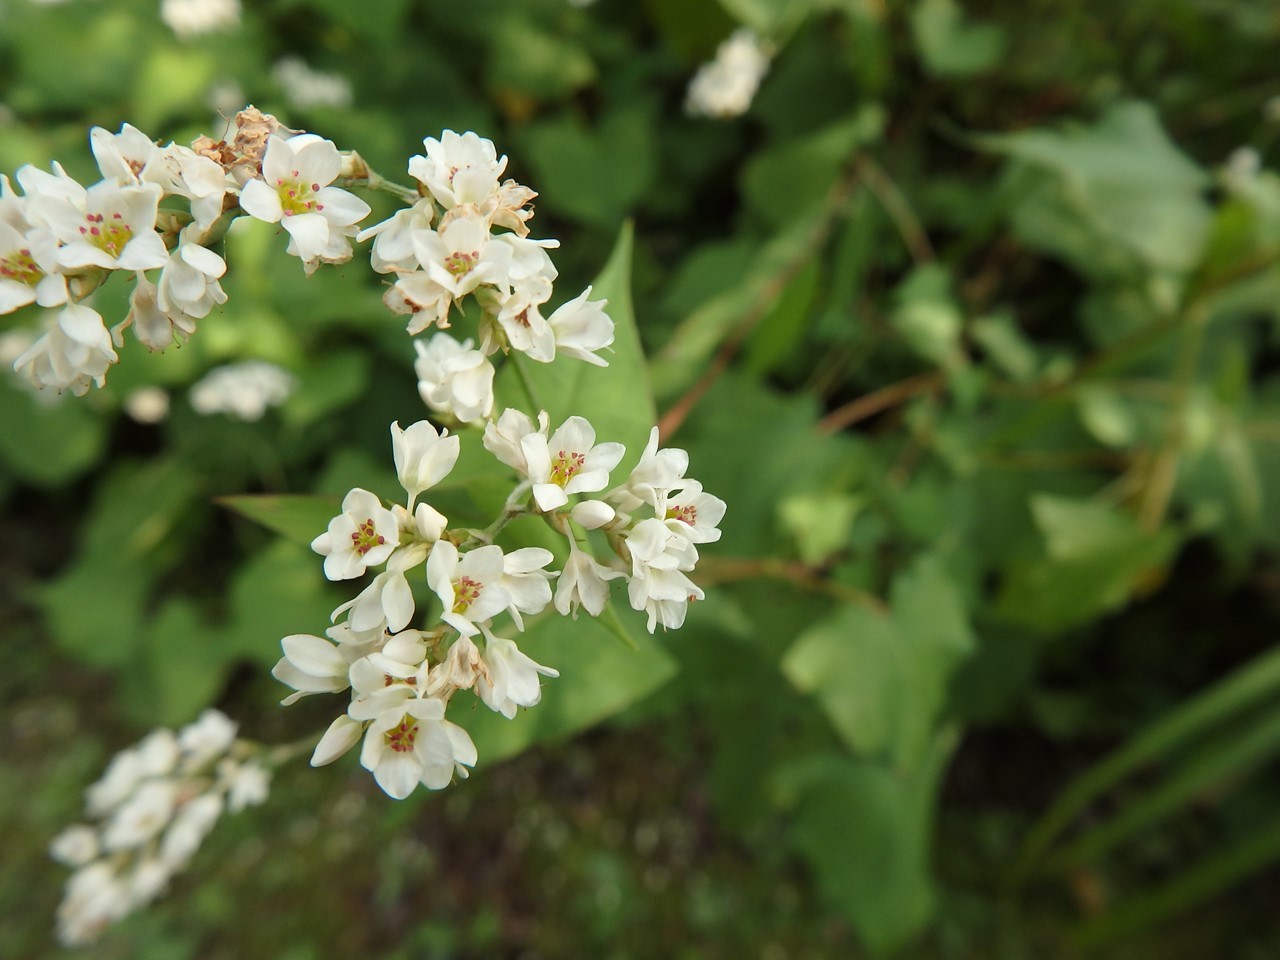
[(295, 193)]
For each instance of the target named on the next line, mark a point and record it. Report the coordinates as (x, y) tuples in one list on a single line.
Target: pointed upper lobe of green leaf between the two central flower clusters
[(616, 399)]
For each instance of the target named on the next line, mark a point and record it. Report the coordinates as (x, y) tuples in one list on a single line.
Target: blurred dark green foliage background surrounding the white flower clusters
[(971, 318)]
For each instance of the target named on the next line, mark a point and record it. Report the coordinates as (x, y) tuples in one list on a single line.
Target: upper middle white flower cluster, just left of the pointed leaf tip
[(469, 236)]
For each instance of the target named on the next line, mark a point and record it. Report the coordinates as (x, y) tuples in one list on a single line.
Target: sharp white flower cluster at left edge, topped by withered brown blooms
[(60, 240)]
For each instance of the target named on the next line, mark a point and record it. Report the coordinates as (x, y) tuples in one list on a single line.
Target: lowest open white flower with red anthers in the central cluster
[(414, 744)]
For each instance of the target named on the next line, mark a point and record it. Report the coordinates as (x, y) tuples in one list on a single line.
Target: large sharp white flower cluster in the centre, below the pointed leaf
[(403, 679)]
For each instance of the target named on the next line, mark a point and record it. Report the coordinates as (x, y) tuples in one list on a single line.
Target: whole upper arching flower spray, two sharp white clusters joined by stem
[(464, 235)]
